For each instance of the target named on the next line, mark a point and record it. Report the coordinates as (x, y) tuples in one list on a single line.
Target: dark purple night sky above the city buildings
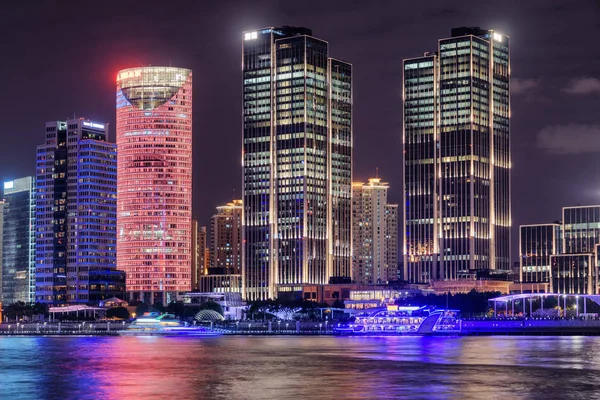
[(60, 58)]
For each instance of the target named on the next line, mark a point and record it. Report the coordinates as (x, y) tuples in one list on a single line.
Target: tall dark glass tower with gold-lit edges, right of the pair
[(457, 158)]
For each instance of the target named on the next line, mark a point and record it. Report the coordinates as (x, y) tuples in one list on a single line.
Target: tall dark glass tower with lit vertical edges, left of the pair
[(297, 162)]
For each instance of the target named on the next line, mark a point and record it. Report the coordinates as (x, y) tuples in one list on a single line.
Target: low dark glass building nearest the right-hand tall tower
[(536, 244)]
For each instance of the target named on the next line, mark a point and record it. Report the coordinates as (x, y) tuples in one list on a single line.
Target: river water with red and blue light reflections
[(299, 367)]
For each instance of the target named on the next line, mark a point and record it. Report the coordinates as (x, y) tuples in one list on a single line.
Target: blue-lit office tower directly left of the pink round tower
[(76, 214)]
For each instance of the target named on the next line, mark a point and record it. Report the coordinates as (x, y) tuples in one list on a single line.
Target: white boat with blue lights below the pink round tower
[(155, 324)]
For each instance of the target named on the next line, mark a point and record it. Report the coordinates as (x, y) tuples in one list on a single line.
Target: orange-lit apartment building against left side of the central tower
[(225, 269)]
